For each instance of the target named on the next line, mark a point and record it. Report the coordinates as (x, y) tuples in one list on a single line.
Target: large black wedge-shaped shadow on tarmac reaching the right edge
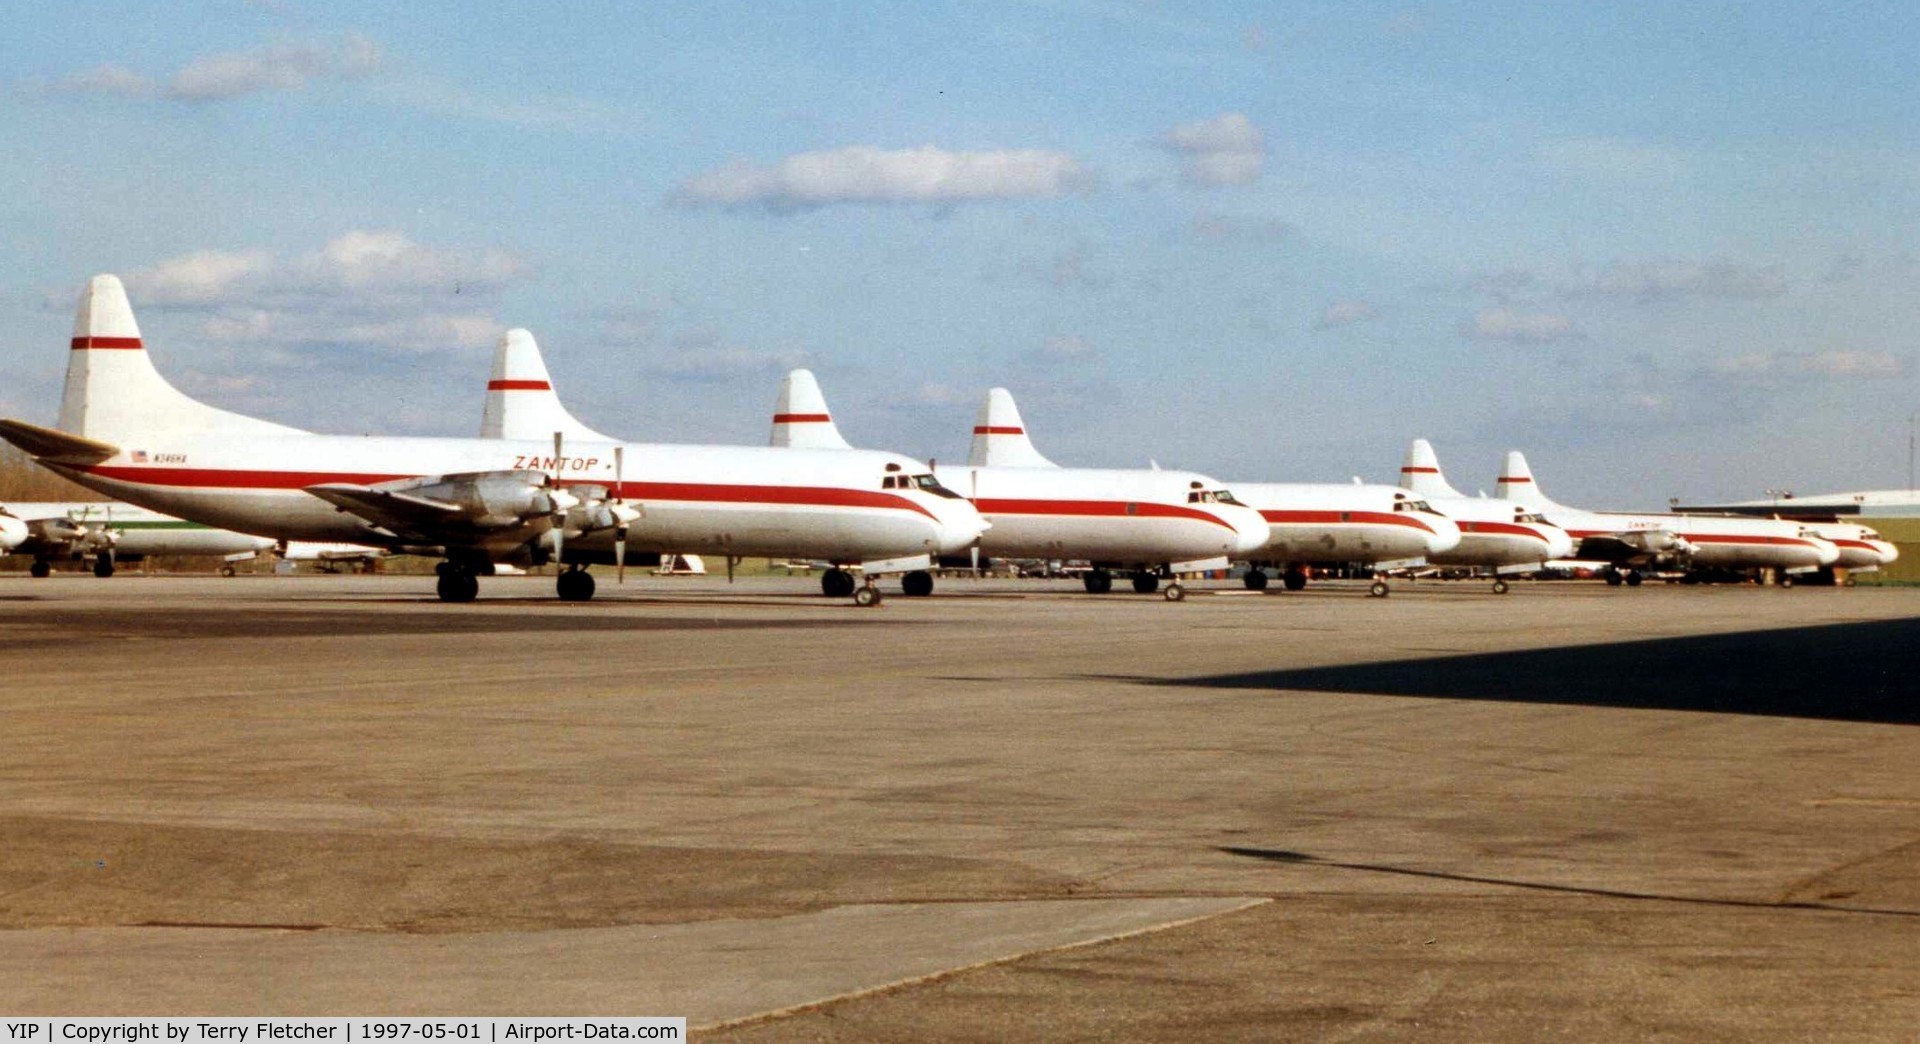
[(1842, 673)]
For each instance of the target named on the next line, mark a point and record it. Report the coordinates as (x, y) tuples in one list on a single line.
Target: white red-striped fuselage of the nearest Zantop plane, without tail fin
[(721, 500)]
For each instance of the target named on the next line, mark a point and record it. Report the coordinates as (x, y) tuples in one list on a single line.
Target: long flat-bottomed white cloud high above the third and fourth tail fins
[(875, 176)]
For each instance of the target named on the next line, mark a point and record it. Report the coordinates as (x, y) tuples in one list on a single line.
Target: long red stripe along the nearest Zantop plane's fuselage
[(688, 492)]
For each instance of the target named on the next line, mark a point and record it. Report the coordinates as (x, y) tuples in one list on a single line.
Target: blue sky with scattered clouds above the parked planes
[(1668, 250)]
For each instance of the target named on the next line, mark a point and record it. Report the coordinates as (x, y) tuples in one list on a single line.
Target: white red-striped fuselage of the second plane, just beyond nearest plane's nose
[(1099, 515)]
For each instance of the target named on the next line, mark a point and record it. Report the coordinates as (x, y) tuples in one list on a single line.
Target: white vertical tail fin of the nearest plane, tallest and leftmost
[(114, 392)]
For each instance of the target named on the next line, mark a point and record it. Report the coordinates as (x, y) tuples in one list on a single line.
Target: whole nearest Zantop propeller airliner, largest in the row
[(126, 433)]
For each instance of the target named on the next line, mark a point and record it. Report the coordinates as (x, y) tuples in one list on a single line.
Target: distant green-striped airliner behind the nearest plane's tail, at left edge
[(118, 533)]
